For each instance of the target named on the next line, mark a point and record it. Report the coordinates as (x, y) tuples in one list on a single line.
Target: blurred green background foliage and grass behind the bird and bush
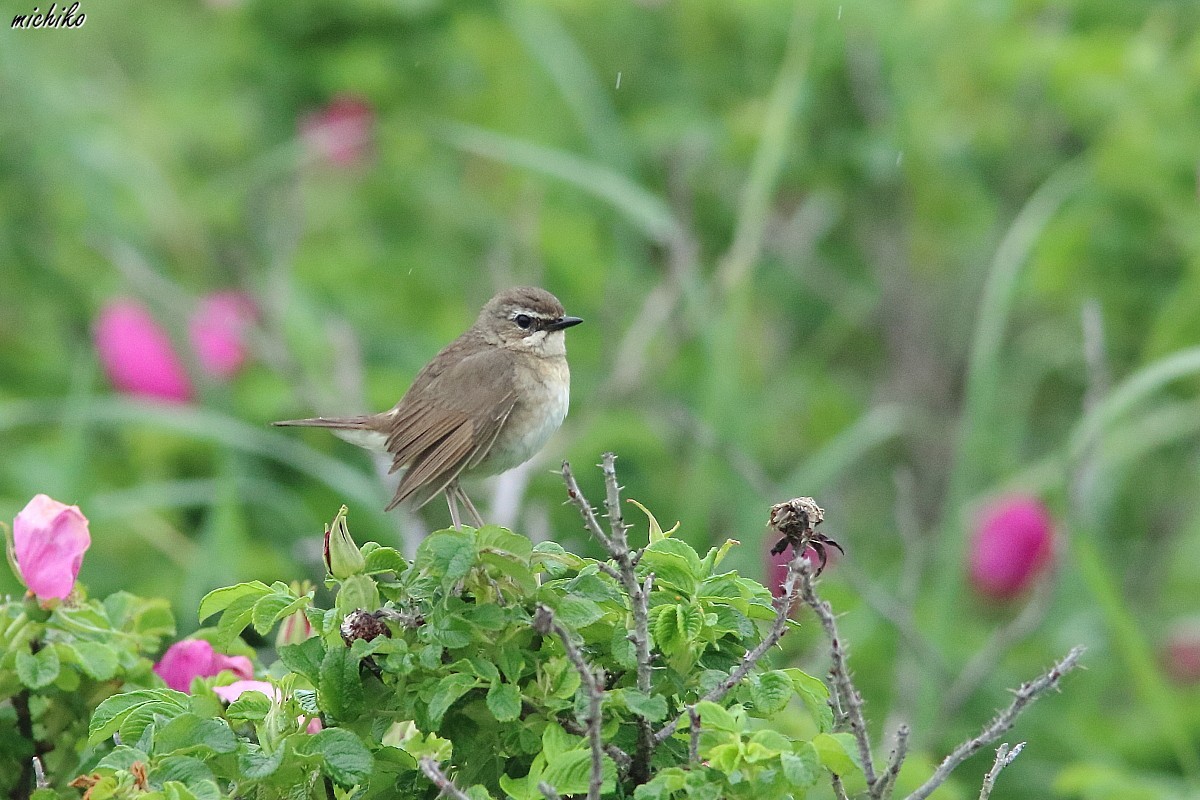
[(903, 257)]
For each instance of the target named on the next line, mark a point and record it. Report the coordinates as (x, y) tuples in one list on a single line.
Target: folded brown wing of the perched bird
[(449, 423)]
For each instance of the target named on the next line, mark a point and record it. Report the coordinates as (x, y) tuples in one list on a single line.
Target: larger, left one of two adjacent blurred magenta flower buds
[(137, 354)]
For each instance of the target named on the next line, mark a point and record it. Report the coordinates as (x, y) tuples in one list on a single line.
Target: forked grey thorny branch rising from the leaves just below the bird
[(617, 544)]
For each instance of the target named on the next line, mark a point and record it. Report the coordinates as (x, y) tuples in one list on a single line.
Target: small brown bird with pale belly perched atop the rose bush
[(487, 404)]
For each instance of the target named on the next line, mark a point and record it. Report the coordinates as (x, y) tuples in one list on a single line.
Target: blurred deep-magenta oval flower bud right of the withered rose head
[(1013, 545)]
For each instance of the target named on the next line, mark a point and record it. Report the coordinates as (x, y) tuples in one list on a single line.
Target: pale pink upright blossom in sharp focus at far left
[(50, 540)]
